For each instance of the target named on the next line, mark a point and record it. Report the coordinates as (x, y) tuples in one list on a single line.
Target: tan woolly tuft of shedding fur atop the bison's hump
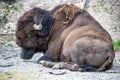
[(70, 11)]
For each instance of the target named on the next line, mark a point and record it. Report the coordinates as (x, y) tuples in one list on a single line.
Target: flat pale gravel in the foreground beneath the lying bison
[(30, 70)]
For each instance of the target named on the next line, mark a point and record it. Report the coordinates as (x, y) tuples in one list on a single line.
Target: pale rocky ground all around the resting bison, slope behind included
[(12, 67)]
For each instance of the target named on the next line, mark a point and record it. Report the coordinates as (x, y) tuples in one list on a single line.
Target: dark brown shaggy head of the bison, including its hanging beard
[(27, 37)]
